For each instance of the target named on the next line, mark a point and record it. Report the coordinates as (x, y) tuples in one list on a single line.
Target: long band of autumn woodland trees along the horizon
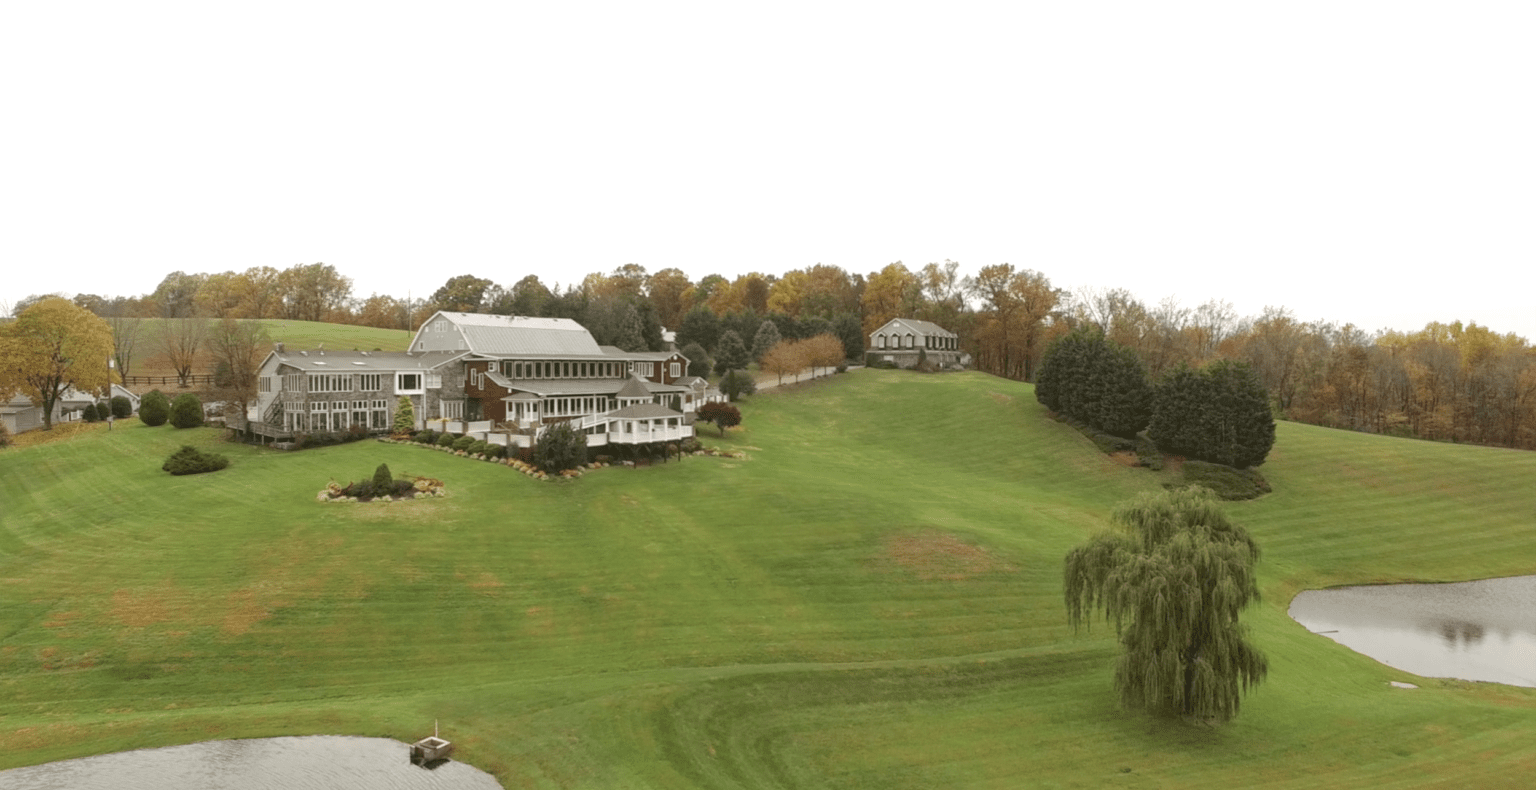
[(1448, 382)]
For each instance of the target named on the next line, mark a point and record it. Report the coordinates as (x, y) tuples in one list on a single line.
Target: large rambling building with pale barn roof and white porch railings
[(498, 377)]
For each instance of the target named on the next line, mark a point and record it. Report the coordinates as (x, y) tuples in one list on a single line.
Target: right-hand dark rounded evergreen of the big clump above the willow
[(1217, 414)]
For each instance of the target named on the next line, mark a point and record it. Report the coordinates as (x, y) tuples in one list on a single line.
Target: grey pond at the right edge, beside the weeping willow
[(1475, 631)]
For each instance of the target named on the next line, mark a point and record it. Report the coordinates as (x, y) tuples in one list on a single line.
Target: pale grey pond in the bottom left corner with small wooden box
[(314, 763)]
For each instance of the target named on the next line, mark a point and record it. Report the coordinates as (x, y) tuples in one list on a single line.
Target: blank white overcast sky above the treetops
[(1363, 162)]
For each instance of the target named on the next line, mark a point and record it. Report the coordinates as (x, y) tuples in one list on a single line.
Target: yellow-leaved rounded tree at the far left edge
[(51, 348)]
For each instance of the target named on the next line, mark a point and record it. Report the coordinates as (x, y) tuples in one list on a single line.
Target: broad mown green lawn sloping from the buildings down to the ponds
[(872, 600)]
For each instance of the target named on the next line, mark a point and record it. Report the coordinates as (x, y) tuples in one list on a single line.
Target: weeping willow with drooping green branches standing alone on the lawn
[(1173, 585)]
